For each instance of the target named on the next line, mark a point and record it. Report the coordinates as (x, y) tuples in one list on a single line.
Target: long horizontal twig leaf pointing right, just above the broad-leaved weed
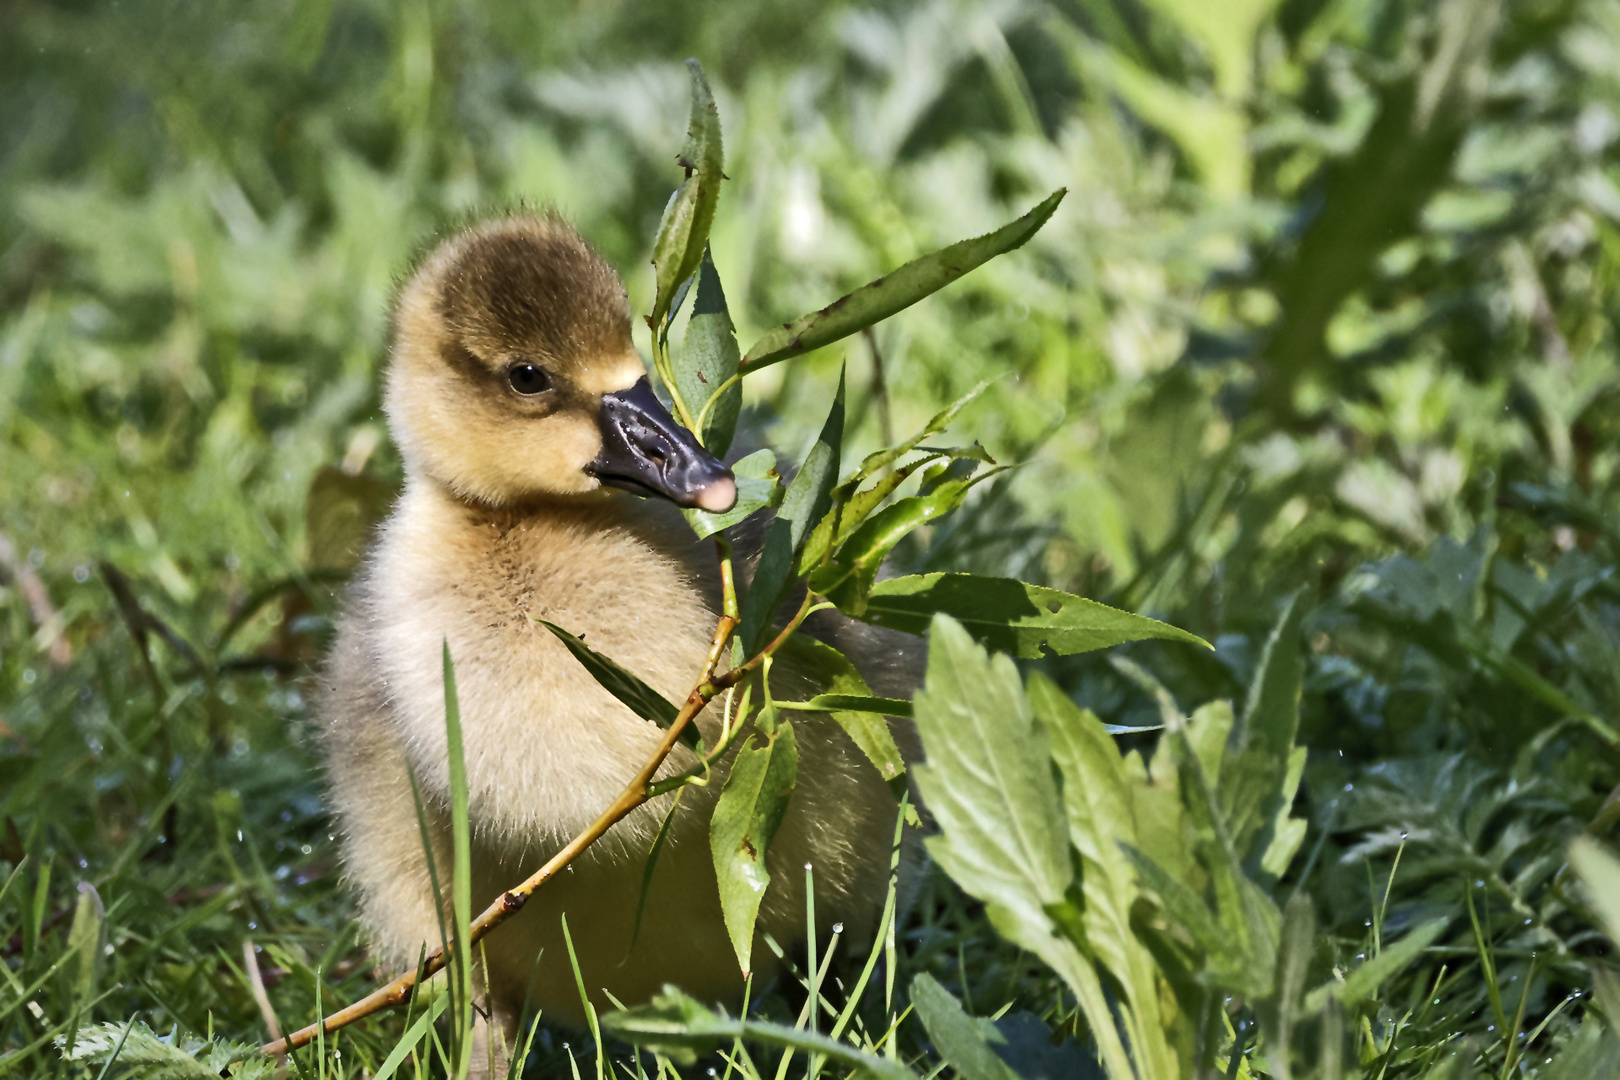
[(1012, 616)]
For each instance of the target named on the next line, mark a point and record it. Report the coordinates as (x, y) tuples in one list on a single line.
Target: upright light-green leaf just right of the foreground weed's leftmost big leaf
[(1101, 815)]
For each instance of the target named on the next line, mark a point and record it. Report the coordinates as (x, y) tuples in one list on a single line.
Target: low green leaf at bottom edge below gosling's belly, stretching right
[(683, 1029)]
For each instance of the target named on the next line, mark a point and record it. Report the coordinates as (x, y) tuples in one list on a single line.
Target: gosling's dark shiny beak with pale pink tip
[(646, 451)]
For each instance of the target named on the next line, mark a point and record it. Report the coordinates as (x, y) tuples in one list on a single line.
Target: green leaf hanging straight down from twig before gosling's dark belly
[(748, 815)]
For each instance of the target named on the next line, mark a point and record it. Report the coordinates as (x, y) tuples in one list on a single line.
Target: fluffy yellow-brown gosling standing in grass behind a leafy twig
[(519, 407)]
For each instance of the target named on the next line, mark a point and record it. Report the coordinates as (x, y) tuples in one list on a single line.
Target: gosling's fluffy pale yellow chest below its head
[(547, 749)]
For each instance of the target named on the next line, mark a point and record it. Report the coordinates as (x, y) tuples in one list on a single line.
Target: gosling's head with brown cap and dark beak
[(513, 376)]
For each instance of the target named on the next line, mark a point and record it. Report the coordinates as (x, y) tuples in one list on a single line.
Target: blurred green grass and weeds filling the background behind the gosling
[(1329, 308)]
